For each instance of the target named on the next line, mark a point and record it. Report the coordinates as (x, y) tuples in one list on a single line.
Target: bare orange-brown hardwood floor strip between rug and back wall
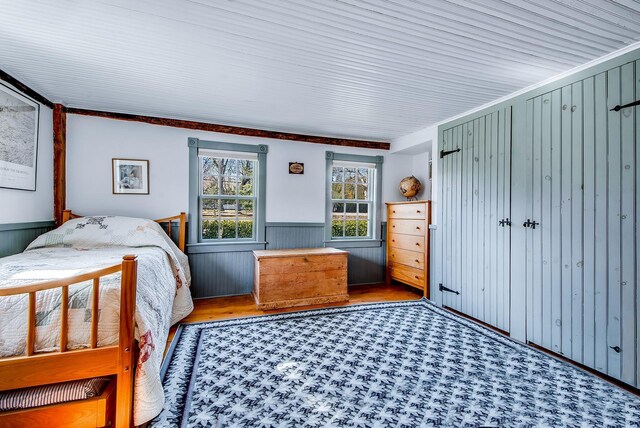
[(219, 308)]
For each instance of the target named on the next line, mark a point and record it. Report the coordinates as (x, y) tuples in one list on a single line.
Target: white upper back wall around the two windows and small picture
[(92, 143)]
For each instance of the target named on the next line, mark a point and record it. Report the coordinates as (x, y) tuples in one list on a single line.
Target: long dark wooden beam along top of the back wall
[(236, 130)]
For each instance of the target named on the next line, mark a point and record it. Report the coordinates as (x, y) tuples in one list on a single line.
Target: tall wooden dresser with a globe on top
[(408, 243)]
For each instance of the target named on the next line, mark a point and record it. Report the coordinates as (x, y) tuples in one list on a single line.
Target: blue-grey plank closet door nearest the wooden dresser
[(476, 195)]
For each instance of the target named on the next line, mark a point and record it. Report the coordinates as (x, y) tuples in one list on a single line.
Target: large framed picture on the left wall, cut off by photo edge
[(19, 117)]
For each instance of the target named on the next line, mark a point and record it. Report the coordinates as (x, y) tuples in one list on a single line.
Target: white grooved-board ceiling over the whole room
[(371, 69)]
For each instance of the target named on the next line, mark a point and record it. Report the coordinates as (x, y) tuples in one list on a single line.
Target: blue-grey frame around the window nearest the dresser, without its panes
[(374, 240)]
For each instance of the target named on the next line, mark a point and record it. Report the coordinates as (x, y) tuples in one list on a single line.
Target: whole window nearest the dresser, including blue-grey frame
[(353, 196)]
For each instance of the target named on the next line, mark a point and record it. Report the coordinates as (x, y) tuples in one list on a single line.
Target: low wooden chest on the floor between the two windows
[(298, 277)]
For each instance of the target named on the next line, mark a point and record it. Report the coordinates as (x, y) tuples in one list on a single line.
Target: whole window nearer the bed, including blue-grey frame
[(227, 183)]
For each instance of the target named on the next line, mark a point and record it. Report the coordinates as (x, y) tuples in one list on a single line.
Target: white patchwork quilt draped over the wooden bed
[(84, 244)]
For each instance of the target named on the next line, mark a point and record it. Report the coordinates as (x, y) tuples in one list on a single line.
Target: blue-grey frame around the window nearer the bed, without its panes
[(195, 242)]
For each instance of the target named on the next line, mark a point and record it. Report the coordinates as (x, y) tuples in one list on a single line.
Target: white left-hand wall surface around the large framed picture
[(20, 206)]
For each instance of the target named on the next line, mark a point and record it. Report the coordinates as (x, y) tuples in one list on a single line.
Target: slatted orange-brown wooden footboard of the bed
[(54, 367)]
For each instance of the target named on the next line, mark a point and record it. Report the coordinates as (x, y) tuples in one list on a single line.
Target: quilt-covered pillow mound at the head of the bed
[(111, 231)]
